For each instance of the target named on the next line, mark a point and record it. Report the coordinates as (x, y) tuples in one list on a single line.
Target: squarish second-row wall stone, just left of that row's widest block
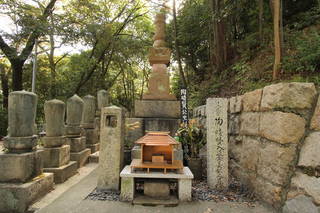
[(250, 122)]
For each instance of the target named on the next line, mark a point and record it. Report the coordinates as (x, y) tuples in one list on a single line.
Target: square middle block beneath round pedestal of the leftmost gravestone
[(20, 167)]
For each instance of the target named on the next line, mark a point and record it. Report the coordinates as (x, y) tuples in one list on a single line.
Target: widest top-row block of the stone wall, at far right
[(288, 95)]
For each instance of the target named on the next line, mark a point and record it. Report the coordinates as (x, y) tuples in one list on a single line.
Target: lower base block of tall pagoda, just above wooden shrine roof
[(162, 124)]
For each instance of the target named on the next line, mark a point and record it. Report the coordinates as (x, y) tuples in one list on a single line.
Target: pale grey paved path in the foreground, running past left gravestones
[(73, 201)]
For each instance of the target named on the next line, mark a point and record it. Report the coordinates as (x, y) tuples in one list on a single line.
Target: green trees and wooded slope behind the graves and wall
[(225, 47)]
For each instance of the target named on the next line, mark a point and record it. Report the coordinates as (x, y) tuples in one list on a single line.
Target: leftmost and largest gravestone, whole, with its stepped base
[(22, 180)]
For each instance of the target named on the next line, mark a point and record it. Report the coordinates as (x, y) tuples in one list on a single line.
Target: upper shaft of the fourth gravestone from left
[(89, 111)]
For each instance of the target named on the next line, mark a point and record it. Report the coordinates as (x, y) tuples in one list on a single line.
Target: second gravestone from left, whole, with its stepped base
[(56, 155)]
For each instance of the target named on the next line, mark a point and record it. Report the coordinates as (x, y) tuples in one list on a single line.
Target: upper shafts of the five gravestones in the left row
[(22, 112)]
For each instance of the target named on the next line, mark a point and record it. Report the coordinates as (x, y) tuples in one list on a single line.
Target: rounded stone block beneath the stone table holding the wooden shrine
[(157, 189)]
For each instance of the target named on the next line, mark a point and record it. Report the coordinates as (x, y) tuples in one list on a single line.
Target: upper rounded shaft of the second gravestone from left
[(54, 111)]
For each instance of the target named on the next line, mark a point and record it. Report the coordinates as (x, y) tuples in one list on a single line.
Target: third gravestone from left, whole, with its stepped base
[(77, 142)]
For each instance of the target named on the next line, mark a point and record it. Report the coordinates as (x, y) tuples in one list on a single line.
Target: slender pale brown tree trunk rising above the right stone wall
[(277, 39)]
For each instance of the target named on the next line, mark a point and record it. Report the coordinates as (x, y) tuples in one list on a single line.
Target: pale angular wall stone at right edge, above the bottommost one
[(307, 184)]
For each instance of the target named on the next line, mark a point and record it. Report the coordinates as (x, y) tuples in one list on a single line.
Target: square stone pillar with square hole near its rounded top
[(111, 150)]
